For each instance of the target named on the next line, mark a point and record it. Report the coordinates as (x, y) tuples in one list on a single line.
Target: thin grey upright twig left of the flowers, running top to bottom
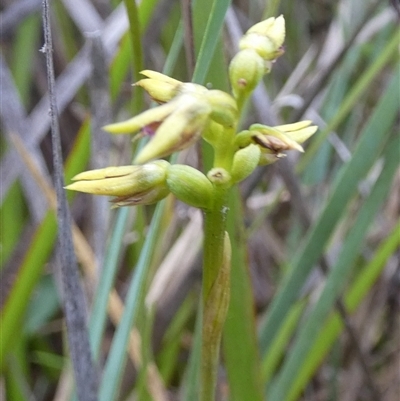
[(74, 300)]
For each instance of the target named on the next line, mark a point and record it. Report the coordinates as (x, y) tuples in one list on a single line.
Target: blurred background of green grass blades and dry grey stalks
[(314, 311)]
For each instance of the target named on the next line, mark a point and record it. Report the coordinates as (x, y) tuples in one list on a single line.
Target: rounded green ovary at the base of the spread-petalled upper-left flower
[(223, 106)]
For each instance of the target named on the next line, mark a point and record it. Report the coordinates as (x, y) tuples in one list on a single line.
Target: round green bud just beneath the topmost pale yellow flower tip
[(246, 71)]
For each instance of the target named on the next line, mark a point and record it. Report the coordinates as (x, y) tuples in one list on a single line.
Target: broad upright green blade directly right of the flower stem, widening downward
[(240, 350)]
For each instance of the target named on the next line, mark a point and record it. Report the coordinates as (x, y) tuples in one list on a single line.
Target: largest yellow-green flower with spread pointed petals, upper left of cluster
[(178, 123)]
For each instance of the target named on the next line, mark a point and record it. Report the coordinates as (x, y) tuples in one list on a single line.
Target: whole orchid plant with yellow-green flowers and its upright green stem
[(187, 113)]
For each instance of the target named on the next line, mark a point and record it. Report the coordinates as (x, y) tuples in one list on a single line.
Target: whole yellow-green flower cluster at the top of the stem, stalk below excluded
[(188, 112)]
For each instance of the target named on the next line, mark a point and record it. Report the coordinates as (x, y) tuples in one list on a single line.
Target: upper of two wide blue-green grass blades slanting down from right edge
[(343, 189)]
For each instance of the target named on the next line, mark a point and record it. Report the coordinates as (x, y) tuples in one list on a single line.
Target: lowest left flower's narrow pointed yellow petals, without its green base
[(132, 185)]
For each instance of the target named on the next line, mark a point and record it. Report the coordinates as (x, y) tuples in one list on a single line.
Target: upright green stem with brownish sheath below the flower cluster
[(215, 291)]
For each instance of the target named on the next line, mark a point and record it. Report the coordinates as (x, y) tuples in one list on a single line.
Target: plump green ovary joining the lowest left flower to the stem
[(190, 186)]
